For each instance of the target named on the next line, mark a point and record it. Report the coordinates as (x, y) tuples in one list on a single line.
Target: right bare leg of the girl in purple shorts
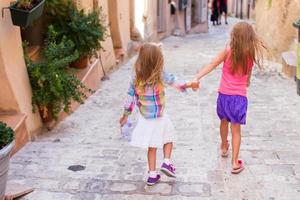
[(236, 143)]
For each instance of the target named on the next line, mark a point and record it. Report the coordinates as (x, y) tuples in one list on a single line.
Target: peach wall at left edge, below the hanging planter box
[(12, 62)]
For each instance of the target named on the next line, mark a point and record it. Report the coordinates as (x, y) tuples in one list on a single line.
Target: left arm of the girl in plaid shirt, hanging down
[(129, 104)]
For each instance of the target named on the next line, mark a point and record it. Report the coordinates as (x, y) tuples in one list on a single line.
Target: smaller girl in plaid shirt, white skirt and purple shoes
[(154, 128)]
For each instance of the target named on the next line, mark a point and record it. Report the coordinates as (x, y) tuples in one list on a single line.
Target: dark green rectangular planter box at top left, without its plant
[(24, 18)]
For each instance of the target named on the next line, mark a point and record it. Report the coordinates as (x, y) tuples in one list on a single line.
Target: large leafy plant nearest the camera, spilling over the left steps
[(54, 87)]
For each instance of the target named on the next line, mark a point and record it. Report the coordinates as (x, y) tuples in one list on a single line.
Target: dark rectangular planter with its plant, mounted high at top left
[(25, 12)]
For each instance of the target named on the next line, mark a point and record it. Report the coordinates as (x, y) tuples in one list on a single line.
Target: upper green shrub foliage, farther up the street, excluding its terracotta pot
[(87, 31)]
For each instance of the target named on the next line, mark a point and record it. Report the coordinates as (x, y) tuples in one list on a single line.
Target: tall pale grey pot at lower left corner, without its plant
[(4, 165)]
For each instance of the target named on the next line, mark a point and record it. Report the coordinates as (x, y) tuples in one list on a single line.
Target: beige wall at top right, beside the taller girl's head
[(275, 24)]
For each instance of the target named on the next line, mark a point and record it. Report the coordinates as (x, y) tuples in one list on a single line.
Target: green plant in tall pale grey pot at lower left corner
[(6, 146)]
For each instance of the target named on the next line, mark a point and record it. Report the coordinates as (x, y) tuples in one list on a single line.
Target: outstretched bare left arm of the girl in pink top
[(214, 63)]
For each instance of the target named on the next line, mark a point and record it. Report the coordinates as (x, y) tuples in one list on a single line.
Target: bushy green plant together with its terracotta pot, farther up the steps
[(87, 31)]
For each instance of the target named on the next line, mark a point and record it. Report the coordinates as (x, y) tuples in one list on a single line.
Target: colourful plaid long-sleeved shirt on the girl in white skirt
[(151, 100)]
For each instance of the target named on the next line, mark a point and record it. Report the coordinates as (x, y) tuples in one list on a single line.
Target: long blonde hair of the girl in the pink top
[(245, 45)]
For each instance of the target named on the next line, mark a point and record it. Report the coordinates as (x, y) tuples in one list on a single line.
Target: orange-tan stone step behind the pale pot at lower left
[(17, 122)]
